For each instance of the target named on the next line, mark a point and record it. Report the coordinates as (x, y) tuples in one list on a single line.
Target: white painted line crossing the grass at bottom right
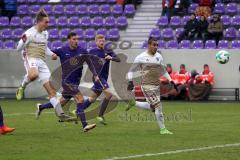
[(175, 152)]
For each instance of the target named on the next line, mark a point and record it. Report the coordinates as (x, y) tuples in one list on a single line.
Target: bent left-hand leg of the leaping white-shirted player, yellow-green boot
[(31, 74)]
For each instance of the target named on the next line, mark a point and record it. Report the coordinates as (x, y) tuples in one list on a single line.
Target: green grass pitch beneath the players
[(136, 132)]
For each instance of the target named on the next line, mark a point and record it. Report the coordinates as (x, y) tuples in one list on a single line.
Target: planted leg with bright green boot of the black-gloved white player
[(152, 95)]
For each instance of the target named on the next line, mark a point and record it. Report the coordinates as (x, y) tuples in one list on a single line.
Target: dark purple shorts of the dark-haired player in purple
[(69, 90)]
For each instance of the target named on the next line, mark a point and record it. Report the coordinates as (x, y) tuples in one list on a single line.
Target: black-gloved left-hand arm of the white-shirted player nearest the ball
[(135, 67)]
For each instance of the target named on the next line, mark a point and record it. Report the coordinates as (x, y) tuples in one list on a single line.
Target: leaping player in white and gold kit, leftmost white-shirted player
[(33, 45)]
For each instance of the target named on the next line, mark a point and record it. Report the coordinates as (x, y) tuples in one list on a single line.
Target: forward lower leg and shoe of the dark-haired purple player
[(80, 113)]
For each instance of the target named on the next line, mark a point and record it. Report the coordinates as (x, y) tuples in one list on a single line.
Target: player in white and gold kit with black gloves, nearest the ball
[(151, 66)]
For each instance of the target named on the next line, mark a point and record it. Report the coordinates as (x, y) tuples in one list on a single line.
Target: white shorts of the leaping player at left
[(43, 70)]
